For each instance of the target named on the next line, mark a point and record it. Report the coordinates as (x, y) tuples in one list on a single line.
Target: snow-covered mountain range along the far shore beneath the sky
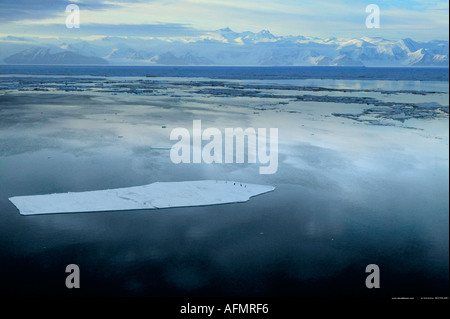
[(226, 47)]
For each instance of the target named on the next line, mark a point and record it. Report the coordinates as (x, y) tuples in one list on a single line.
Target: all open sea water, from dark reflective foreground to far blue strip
[(347, 196)]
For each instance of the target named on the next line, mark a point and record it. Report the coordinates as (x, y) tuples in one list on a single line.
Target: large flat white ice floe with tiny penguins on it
[(153, 196)]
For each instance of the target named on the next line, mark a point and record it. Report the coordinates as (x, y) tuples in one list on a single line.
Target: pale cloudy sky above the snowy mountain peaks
[(418, 19)]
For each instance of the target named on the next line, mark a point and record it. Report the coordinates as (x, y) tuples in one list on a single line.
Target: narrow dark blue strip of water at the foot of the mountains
[(244, 73)]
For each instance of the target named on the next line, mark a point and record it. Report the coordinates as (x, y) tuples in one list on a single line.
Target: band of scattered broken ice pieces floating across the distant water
[(379, 111)]
